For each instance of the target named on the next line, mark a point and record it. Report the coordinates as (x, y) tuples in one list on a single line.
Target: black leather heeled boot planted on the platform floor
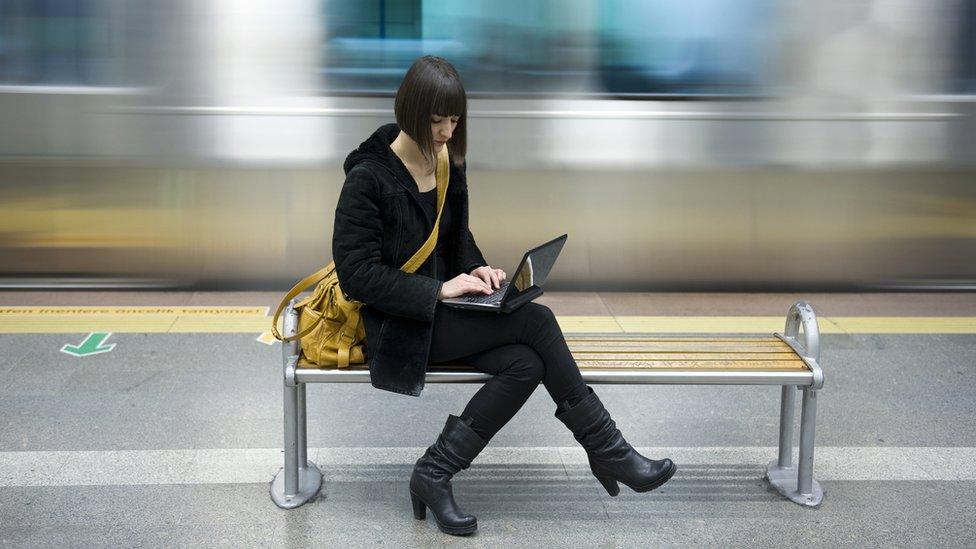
[(430, 484)]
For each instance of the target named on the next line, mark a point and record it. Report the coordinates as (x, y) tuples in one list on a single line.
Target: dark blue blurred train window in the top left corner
[(61, 42)]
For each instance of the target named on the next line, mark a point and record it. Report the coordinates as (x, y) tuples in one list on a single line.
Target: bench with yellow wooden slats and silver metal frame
[(789, 359)]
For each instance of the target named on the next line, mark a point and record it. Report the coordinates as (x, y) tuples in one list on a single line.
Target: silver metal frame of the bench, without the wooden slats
[(300, 480)]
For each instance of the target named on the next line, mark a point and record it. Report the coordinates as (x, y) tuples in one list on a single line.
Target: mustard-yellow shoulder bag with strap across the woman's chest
[(329, 326)]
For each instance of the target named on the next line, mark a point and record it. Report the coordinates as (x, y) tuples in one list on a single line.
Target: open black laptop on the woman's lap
[(525, 286)]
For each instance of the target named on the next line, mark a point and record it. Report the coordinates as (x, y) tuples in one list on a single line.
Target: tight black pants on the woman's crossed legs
[(520, 349)]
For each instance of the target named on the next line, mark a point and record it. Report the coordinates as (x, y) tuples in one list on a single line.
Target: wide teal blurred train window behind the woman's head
[(551, 47)]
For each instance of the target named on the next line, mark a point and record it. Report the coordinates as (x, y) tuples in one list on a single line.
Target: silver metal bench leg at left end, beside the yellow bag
[(299, 480)]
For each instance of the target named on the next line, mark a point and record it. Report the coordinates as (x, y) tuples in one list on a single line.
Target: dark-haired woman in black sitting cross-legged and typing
[(385, 212)]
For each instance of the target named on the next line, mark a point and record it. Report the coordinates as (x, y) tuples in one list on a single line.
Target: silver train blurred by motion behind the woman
[(696, 145)]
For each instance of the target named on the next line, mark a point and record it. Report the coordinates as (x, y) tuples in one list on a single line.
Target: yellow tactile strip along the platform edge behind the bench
[(205, 319)]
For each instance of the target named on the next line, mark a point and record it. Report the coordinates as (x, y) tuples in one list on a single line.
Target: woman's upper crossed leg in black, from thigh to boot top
[(459, 333)]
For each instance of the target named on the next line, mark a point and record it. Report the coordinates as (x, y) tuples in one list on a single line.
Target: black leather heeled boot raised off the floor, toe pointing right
[(611, 458)]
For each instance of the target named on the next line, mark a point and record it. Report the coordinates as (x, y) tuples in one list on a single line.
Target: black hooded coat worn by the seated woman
[(380, 223)]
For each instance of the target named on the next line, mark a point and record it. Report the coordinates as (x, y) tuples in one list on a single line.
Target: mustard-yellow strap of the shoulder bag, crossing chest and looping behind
[(443, 180)]
